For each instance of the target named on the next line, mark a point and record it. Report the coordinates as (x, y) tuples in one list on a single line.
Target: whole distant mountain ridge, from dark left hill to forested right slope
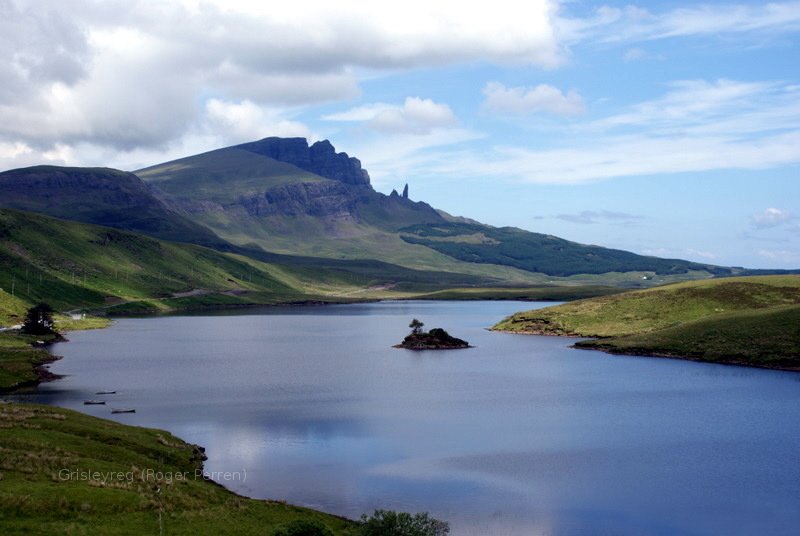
[(283, 199)]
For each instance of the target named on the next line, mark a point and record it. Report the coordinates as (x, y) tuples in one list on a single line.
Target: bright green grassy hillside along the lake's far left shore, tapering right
[(73, 265)]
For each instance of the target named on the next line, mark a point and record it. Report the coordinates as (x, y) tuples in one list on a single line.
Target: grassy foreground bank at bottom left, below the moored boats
[(39, 441)]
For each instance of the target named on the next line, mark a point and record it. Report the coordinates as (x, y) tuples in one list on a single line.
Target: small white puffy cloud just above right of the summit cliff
[(415, 116)]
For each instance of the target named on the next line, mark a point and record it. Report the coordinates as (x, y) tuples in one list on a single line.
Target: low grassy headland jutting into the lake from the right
[(745, 320)]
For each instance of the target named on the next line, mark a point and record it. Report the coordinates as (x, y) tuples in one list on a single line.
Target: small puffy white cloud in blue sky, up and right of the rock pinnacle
[(522, 100)]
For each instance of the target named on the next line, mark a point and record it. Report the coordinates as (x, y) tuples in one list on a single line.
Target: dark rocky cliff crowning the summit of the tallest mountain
[(320, 158)]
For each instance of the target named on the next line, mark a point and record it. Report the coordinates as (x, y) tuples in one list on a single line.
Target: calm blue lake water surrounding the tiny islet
[(519, 436)]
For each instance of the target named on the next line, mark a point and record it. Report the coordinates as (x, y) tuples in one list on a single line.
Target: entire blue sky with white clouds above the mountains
[(664, 128)]
